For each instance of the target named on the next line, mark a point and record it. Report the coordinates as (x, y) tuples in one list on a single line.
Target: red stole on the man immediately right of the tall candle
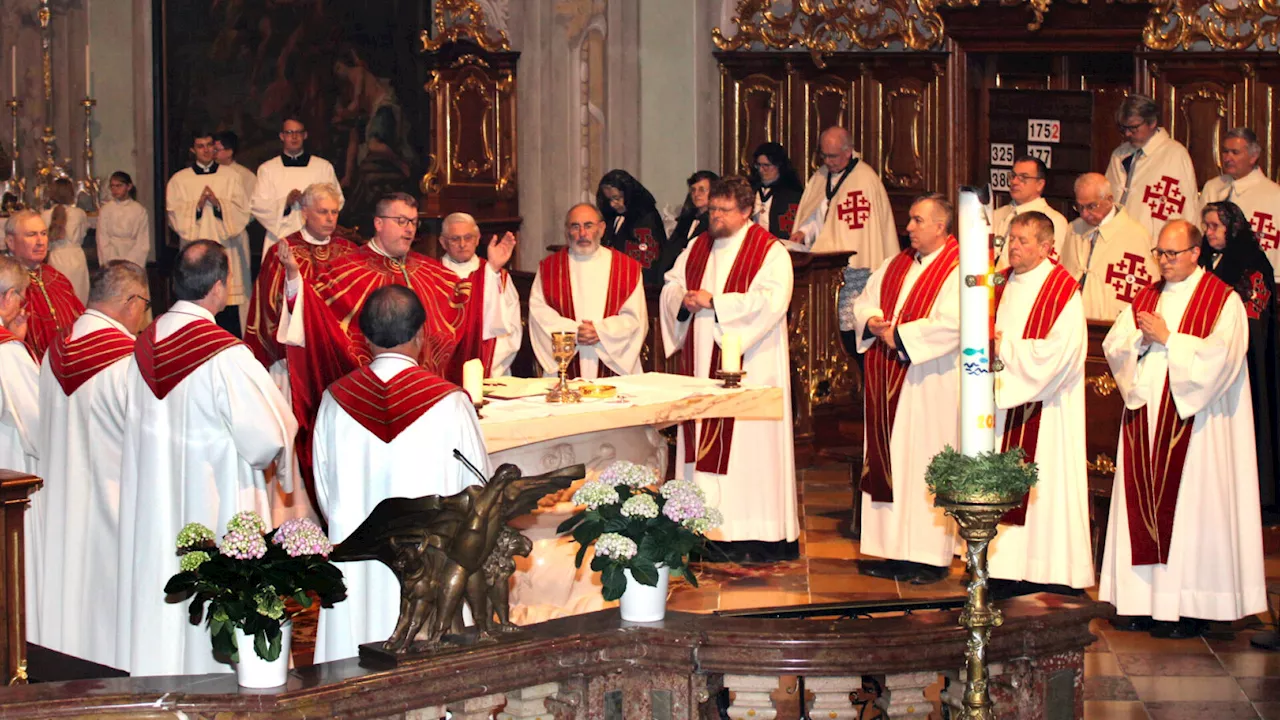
[(1022, 423)]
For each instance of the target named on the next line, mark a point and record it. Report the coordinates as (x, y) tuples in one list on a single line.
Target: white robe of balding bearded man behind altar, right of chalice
[(621, 336)]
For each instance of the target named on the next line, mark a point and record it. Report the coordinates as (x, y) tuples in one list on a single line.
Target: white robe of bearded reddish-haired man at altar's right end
[(757, 490)]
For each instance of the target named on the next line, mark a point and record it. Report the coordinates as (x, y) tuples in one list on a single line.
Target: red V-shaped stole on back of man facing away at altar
[(387, 408)]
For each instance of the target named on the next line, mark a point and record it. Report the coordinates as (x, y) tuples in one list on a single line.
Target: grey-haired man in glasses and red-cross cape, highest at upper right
[(1151, 174)]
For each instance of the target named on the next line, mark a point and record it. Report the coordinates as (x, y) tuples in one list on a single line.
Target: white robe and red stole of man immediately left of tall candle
[(915, 391)]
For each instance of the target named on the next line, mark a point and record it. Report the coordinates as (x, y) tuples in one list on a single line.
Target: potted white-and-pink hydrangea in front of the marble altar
[(642, 535)]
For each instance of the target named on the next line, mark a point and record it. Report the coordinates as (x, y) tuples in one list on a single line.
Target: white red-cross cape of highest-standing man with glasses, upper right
[(1159, 186)]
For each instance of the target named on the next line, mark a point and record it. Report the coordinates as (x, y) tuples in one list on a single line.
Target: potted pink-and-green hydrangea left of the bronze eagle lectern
[(245, 581)]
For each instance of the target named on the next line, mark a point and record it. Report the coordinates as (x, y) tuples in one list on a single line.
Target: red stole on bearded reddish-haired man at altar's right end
[(711, 450)]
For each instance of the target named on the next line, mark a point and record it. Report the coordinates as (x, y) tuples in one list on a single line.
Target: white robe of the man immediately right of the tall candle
[(1054, 546)]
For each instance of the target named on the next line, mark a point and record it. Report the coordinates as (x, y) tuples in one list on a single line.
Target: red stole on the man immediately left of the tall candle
[(885, 372)]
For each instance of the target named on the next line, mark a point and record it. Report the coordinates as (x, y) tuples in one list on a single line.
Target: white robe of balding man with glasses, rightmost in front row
[(1214, 567)]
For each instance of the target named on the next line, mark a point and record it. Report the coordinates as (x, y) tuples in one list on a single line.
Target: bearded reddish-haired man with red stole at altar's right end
[(735, 280)]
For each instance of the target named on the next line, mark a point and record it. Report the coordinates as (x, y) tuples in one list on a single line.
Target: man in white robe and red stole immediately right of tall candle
[(1040, 407)]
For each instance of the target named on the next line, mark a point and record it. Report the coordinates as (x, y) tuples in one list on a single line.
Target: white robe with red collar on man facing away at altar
[(359, 467)]
